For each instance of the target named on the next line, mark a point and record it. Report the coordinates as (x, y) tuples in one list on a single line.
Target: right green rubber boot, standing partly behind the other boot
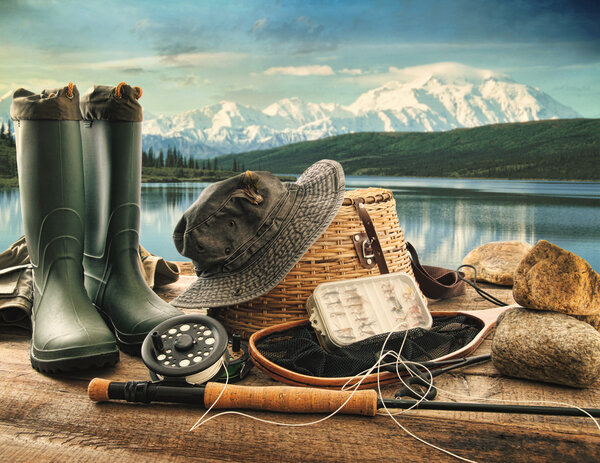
[(111, 133)]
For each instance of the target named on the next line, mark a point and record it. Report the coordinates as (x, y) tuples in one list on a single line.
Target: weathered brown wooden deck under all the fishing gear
[(44, 418)]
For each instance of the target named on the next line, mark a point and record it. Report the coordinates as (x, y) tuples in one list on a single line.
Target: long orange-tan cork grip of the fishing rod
[(290, 399)]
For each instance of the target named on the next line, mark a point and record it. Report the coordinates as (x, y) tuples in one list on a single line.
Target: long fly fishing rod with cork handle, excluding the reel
[(291, 399)]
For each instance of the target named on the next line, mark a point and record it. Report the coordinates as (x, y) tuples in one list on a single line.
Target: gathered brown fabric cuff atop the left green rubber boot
[(59, 104)]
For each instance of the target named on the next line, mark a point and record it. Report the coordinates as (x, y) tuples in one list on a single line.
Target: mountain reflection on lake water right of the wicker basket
[(445, 227)]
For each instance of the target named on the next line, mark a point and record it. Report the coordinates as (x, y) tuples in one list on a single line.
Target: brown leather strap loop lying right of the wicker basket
[(436, 282)]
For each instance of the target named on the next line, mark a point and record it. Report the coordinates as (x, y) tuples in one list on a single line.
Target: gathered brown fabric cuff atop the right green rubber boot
[(119, 103)]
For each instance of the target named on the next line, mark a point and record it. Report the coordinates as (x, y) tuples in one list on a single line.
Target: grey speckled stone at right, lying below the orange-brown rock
[(546, 346)]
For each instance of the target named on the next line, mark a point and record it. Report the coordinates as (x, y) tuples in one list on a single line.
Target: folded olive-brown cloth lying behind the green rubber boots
[(16, 281)]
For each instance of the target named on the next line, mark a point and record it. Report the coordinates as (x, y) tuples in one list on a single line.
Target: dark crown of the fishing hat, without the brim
[(227, 218)]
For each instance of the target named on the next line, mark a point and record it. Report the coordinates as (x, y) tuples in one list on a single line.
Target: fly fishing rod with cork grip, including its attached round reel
[(186, 352)]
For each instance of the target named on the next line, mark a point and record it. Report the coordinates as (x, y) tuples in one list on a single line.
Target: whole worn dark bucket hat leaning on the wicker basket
[(245, 234)]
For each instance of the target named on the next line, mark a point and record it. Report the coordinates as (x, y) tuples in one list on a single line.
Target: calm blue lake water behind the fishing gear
[(443, 218)]
